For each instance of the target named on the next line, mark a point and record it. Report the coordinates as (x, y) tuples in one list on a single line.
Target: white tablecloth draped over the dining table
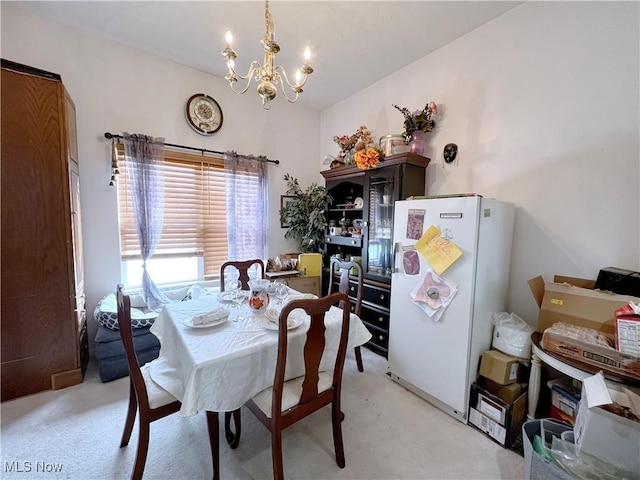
[(219, 368)]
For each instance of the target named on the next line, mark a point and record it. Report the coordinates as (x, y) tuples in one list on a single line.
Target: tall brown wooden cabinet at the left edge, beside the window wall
[(43, 325)]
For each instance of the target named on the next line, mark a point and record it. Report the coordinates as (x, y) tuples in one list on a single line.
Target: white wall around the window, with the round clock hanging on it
[(117, 88)]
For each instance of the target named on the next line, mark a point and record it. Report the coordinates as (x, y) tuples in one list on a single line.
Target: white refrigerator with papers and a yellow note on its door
[(437, 358)]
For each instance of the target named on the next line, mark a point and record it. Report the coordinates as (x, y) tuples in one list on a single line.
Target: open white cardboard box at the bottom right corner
[(608, 436)]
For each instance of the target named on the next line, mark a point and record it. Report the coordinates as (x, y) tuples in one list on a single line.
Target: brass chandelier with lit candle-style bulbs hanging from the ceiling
[(268, 75)]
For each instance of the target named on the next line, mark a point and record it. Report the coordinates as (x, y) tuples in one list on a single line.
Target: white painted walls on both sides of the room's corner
[(543, 103)]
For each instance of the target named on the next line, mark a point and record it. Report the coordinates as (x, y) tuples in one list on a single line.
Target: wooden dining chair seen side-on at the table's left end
[(148, 398)]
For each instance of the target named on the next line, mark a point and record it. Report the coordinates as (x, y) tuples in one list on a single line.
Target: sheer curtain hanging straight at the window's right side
[(247, 214)]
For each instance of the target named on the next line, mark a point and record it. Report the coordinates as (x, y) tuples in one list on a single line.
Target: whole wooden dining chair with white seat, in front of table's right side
[(287, 402)]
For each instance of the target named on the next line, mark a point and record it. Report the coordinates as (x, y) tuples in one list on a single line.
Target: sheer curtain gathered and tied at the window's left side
[(145, 157)]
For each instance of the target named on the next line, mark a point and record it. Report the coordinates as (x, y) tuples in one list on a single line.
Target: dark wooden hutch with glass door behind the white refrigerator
[(361, 228)]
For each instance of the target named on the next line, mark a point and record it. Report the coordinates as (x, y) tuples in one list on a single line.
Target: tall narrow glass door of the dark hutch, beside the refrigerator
[(379, 246)]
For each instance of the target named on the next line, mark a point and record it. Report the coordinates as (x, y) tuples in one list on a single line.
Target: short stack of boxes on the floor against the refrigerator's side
[(499, 398)]
